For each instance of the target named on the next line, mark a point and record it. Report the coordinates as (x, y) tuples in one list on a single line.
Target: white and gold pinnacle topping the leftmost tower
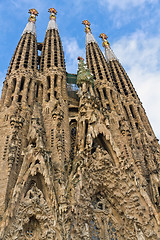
[(30, 27)]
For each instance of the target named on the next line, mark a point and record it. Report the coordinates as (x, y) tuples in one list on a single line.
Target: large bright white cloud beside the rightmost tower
[(139, 53)]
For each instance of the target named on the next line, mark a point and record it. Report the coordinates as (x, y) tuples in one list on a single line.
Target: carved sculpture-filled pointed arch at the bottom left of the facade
[(30, 219)]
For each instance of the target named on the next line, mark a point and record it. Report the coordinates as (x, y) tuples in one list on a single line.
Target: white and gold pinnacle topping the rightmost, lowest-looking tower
[(109, 54)]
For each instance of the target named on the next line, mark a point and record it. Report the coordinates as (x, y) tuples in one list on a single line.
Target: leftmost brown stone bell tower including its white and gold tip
[(17, 94)]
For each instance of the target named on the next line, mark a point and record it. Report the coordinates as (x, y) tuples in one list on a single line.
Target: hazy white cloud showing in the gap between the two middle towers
[(72, 51)]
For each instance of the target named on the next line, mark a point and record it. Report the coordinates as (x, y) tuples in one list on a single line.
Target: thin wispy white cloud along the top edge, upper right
[(125, 4)]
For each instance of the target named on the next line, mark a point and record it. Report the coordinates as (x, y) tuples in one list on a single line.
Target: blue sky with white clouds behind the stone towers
[(133, 28)]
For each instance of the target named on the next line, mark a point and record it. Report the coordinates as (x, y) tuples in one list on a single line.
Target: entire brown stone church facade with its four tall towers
[(78, 157)]
